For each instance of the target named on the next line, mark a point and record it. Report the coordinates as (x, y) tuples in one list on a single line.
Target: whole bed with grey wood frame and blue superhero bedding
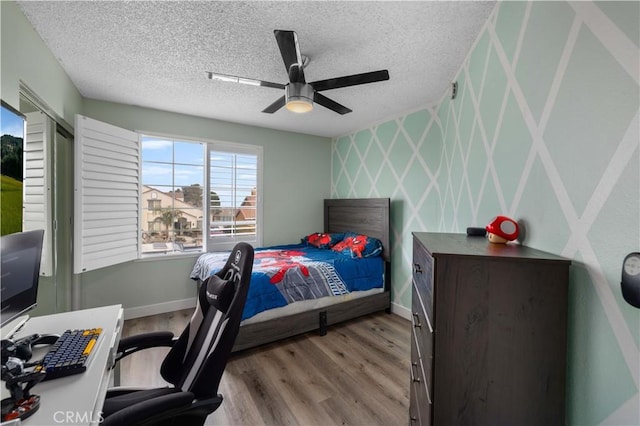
[(282, 310)]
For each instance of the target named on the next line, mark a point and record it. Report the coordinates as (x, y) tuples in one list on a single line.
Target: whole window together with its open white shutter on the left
[(146, 195)]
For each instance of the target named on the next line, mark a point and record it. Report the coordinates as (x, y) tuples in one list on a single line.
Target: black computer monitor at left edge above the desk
[(19, 273)]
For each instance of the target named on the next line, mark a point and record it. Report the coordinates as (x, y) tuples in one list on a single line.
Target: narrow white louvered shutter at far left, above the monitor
[(36, 186)]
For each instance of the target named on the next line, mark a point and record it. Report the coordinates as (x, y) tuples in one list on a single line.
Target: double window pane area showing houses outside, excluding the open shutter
[(173, 191)]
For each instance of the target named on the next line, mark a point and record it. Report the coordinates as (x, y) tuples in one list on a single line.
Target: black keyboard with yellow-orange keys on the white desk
[(71, 354)]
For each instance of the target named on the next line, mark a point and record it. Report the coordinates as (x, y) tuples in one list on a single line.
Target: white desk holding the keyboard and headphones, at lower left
[(75, 399)]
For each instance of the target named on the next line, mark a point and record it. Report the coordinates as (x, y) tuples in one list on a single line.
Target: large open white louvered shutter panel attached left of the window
[(107, 179)]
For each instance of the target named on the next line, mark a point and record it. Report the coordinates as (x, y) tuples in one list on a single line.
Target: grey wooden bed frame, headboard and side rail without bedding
[(368, 216)]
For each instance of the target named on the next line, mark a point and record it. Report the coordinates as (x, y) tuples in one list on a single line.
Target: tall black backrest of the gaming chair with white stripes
[(197, 360)]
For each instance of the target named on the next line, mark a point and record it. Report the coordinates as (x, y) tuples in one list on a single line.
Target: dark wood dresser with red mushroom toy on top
[(489, 333)]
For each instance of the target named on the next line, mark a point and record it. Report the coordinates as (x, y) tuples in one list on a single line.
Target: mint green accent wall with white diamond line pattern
[(544, 129)]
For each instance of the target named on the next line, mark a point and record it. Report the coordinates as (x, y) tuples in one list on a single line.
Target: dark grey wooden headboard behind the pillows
[(367, 216)]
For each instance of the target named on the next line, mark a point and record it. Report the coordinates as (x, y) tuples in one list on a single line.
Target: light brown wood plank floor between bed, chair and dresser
[(357, 374)]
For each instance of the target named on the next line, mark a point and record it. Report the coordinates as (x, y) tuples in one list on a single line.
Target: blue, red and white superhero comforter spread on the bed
[(289, 273)]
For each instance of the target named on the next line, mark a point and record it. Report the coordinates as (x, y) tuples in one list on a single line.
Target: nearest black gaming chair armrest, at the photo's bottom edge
[(151, 411)]
